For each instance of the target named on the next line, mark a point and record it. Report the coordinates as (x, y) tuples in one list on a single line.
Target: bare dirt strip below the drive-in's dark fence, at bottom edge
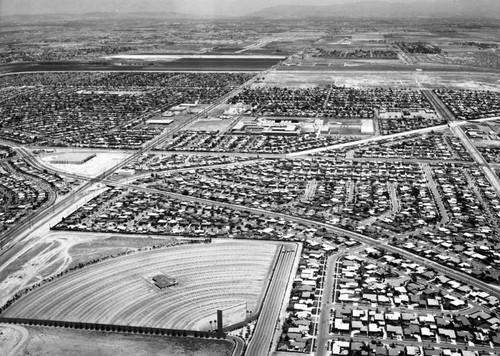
[(67, 342)]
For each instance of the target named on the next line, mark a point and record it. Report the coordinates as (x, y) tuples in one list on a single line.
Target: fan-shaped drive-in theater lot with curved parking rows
[(121, 290)]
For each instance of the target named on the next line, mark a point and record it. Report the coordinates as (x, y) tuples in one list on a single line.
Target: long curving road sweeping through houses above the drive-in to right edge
[(460, 276)]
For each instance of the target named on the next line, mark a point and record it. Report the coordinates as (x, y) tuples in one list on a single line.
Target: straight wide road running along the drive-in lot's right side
[(262, 338)]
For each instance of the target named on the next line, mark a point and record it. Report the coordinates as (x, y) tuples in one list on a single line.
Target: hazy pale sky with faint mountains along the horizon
[(265, 9)]
